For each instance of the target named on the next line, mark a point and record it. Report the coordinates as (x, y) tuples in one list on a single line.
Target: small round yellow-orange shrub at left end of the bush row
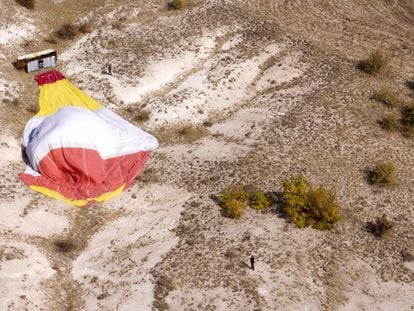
[(233, 200)]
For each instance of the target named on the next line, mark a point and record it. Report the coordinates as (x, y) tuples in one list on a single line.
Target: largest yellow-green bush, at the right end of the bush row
[(309, 206)]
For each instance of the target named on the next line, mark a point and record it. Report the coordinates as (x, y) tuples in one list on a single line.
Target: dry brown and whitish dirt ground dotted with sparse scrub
[(245, 92)]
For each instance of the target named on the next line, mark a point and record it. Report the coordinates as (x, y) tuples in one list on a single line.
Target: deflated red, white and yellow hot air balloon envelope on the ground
[(76, 149)]
